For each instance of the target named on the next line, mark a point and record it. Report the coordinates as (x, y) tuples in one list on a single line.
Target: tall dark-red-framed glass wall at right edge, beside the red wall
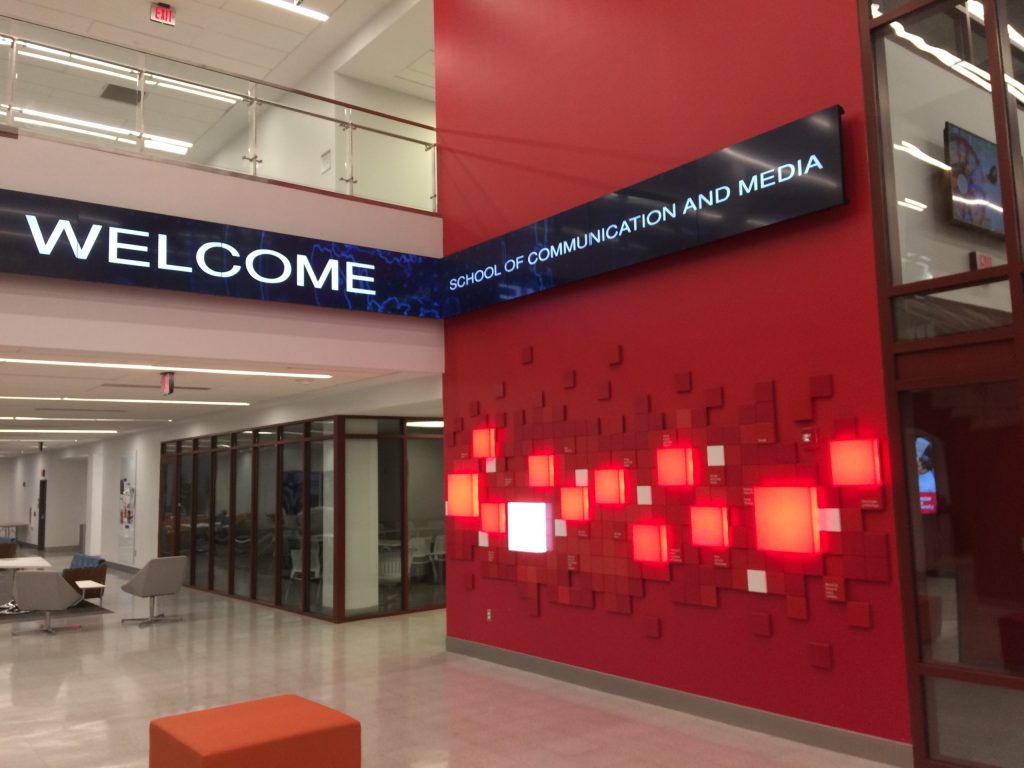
[(949, 88)]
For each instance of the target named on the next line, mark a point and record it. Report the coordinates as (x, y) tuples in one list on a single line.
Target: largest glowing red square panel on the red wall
[(786, 520)]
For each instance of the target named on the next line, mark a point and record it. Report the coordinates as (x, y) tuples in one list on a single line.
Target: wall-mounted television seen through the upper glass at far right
[(974, 181)]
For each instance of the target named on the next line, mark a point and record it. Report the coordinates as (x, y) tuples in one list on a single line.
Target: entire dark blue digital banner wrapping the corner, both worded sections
[(788, 173)]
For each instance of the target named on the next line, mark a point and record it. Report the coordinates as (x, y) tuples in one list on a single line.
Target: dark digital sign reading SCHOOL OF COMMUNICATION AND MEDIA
[(788, 173)]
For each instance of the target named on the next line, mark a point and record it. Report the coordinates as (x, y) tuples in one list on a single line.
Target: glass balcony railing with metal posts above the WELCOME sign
[(81, 91)]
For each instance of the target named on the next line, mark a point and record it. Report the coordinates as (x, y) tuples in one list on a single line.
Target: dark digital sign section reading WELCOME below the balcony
[(57, 238)]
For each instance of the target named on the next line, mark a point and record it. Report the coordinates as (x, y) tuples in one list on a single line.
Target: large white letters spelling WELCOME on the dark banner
[(259, 264)]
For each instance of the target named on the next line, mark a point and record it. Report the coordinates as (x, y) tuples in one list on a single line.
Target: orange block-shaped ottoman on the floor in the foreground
[(272, 733)]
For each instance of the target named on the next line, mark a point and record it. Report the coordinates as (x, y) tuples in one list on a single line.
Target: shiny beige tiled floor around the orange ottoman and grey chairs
[(86, 699)]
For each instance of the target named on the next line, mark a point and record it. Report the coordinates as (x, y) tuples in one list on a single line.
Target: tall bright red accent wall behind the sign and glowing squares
[(543, 106)]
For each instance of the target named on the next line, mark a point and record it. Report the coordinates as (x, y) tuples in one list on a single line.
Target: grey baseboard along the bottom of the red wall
[(815, 735)]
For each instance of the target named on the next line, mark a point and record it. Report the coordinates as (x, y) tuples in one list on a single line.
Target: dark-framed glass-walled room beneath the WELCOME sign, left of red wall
[(262, 515)]
